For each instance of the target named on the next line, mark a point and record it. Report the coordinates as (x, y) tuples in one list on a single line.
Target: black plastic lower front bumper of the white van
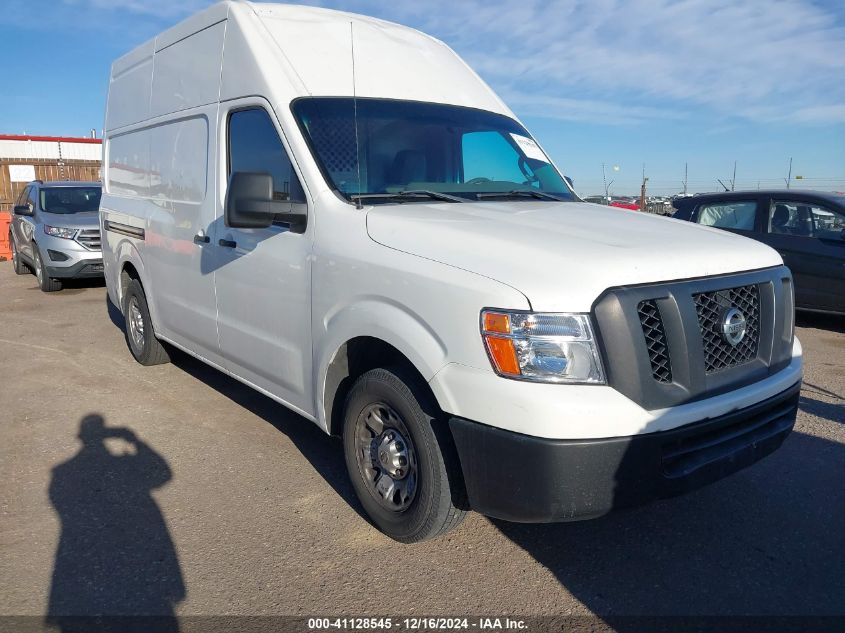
[(529, 479)]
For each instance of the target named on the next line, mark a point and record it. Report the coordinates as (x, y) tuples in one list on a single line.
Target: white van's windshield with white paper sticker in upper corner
[(411, 146)]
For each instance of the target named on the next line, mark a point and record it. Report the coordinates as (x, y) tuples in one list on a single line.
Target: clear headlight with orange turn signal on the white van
[(557, 348)]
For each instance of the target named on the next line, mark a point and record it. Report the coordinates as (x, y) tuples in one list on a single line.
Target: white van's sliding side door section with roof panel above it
[(181, 199)]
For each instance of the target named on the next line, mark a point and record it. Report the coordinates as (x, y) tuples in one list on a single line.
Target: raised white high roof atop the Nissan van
[(296, 52)]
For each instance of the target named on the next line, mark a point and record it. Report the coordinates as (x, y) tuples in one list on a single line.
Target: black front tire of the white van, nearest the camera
[(437, 482)]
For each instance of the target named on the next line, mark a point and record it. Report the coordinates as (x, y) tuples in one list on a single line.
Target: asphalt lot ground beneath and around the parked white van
[(232, 505)]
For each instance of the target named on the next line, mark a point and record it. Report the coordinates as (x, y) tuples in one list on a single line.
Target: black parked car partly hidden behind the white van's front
[(806, 227)]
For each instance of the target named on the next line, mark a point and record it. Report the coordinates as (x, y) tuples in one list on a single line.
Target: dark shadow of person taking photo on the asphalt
[(115, 560)]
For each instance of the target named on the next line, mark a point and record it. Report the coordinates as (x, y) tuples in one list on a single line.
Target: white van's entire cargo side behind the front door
[(158, 178)]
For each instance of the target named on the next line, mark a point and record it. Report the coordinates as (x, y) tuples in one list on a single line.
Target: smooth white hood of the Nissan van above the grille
[(563, 255)]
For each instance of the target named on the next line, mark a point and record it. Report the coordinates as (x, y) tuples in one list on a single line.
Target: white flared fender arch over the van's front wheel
[(379, 318)]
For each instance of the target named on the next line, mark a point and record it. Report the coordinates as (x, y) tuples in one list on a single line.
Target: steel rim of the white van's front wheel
[(386, 457)]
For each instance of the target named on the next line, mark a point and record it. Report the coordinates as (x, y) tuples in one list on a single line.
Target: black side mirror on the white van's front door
[(250, 204)]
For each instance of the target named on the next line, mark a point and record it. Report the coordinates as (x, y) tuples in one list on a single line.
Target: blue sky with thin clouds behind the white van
[(621, 82)]
